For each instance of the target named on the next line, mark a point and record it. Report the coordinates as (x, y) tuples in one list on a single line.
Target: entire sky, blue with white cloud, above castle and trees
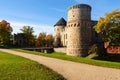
[(43, 14)]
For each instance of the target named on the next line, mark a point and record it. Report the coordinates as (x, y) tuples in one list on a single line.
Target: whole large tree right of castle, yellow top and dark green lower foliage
[(109, 26)]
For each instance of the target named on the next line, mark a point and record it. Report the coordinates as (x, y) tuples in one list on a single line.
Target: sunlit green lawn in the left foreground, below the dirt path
[(13, 67)]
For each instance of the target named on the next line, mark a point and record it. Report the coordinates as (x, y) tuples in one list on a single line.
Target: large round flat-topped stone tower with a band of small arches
[(79, 30)]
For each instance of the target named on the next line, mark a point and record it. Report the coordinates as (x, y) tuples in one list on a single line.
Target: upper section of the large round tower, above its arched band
[(80, 12)]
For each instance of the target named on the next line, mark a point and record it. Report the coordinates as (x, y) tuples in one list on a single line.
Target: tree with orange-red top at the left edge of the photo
[(5, 33)]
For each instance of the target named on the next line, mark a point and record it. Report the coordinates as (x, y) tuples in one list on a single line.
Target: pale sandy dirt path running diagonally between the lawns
[(73, 70)]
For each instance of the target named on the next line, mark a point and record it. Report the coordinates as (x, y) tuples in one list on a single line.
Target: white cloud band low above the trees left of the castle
[(37, 27)]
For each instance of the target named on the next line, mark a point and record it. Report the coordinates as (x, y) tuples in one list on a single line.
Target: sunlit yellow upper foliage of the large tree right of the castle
[(110, 20)]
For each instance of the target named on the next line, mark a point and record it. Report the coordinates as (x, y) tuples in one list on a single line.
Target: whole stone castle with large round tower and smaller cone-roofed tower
[(77, 33)]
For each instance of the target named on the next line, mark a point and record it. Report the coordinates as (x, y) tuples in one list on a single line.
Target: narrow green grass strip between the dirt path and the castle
[(75, 59)]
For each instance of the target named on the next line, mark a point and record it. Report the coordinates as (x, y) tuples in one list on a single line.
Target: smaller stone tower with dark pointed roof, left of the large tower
[(59, 28)]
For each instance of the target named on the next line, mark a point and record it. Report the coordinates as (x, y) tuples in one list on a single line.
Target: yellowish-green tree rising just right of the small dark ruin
[(28, 31)]
